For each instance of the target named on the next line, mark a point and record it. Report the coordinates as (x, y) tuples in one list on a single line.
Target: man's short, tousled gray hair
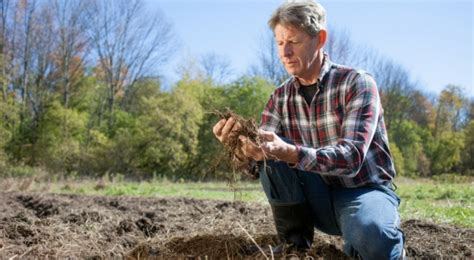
[(306, 15)]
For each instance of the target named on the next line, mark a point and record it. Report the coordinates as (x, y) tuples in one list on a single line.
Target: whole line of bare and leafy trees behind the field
[(80, 95)]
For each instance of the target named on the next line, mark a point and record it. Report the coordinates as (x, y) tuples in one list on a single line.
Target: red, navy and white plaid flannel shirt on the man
[(341, 135)]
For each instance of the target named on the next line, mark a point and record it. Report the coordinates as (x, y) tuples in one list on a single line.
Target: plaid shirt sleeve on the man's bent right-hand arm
[(361, 115)]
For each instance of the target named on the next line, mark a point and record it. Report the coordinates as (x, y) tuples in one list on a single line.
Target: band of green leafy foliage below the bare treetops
[(152, 132)]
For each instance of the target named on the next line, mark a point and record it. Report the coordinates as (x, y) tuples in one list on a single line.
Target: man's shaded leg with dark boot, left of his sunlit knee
[(304, 194)]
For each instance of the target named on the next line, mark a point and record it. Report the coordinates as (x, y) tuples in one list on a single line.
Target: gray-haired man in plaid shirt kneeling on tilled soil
[(328, 163)]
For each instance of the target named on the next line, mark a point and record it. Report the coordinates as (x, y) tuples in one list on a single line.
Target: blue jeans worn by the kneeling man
[(366, 218)]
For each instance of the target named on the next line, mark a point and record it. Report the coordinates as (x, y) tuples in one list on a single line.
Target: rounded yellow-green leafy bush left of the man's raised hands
[(172, 126)]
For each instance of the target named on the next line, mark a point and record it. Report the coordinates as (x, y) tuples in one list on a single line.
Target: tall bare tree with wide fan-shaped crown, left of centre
[(128, 42)]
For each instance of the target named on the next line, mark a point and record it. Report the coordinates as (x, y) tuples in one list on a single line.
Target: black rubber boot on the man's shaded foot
[(294, 226)]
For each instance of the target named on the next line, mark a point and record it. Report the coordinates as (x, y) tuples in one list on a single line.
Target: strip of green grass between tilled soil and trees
[(440, 201)]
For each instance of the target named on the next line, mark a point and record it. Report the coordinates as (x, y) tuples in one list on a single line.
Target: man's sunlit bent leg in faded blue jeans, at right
[(369, 221)]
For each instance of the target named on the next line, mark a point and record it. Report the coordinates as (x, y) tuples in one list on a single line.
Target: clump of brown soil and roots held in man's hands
[(249, 129)]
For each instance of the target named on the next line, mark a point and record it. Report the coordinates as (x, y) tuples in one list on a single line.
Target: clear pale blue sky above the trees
[(432, 39)]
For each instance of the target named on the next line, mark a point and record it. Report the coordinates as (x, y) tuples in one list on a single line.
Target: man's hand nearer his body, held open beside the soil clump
[(272, 147)]
